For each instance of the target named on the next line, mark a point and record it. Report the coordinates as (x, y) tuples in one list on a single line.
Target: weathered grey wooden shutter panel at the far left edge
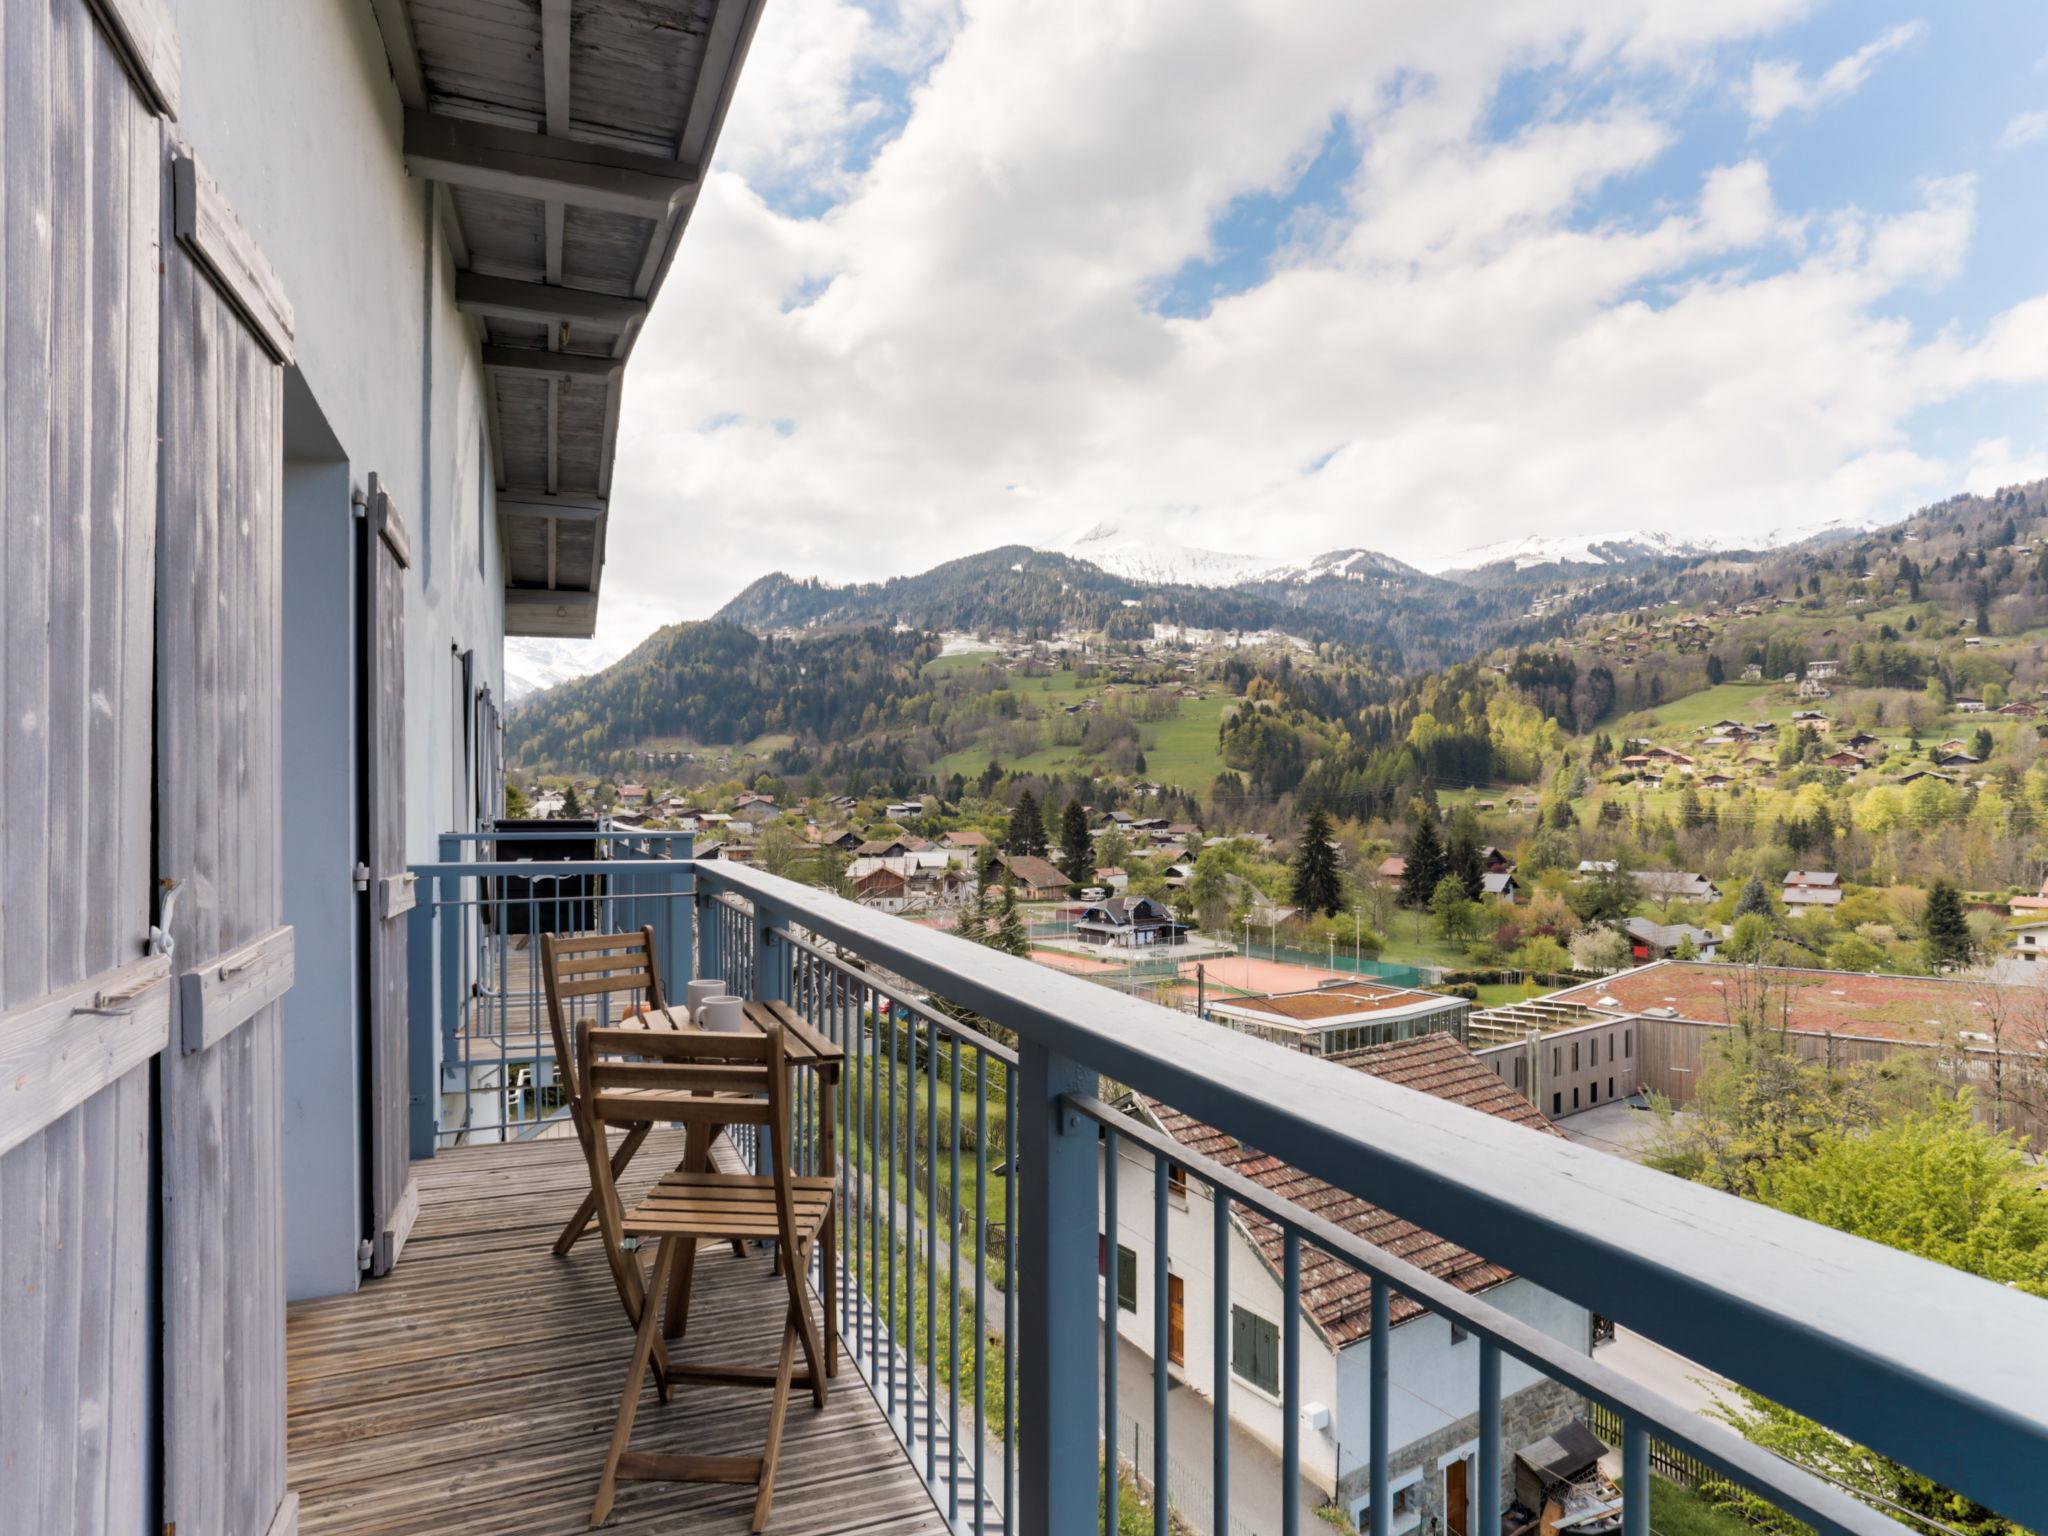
[(79, 331)]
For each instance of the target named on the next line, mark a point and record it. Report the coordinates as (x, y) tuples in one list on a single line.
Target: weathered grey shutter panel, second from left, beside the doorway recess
[(220, 835)]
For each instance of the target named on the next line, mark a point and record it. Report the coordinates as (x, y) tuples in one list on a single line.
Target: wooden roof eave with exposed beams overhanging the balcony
[(562, 191)]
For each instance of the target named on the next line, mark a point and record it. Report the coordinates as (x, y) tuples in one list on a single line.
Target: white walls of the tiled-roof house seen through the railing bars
[(1433, 1381)]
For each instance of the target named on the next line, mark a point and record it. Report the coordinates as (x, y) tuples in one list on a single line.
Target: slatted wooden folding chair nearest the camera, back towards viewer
[(708, 1080)]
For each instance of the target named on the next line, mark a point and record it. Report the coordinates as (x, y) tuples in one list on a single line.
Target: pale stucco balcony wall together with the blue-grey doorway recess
[(290, 108)]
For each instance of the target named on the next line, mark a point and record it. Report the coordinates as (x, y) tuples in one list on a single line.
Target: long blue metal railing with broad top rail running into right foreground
[(1902, 1355)]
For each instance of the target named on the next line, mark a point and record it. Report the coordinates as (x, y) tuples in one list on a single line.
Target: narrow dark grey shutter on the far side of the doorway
[(394, 1199)]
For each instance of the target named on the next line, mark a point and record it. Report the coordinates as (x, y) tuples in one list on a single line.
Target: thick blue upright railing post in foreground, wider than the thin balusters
[(1056, 1250)]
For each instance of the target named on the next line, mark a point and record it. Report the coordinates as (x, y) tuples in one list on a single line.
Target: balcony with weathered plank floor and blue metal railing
[(994, 1353)]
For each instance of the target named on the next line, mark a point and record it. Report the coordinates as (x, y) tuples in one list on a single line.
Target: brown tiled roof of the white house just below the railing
[(1336, 1297)]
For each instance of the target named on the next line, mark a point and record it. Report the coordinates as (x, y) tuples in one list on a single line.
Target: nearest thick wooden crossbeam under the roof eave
[(546, 167)]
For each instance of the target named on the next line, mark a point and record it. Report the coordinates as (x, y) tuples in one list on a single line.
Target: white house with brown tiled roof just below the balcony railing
[(1433, 1426)]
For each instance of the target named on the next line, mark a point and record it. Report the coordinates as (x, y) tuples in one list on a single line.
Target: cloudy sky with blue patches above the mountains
[(1285, 278)]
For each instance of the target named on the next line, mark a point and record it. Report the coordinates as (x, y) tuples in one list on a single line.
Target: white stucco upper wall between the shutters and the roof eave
[(292, 110)]
